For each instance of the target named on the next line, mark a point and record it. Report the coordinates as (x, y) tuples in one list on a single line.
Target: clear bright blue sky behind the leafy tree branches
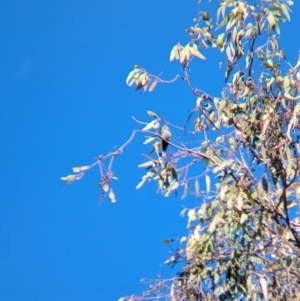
[(64, 100)]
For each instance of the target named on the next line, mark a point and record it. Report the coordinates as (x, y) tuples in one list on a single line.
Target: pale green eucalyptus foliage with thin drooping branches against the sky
[(244, 240)]
